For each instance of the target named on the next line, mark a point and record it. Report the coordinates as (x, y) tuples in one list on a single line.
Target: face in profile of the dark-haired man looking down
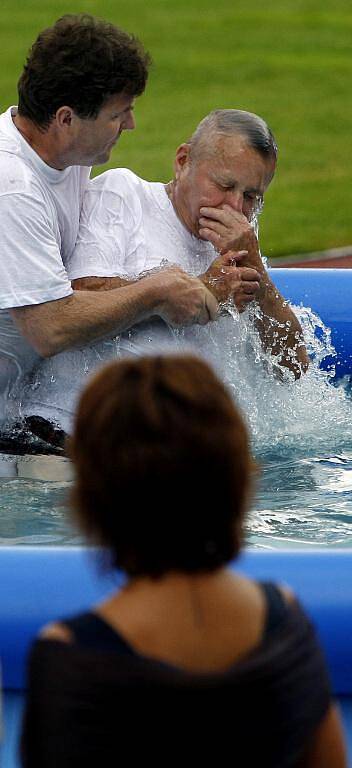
[(94, 138)]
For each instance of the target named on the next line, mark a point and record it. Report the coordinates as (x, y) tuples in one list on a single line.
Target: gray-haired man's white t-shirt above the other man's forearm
[(129, 225)]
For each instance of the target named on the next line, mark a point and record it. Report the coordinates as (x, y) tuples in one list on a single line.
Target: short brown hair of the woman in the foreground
[(162, 466)]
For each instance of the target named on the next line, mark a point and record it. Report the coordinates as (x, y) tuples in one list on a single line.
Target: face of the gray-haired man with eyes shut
[(232, 174)]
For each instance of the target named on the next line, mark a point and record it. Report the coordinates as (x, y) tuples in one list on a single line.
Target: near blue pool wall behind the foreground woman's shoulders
[(39, 584)]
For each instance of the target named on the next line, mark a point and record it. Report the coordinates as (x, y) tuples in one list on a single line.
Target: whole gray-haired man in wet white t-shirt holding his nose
[(203, 221)]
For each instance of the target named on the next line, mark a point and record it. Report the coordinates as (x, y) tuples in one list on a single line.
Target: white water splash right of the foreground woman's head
[(284, 415)]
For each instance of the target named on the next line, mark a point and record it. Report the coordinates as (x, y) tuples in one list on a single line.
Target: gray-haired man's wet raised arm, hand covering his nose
[(278, 326)]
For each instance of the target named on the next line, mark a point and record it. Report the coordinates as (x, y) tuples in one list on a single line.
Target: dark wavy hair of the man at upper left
[(80, 62)]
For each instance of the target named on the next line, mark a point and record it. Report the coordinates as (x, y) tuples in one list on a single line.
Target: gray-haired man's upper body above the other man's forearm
[(204, 220)]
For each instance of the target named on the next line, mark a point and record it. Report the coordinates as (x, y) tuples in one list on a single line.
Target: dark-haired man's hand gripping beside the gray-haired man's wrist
[(185, 300)]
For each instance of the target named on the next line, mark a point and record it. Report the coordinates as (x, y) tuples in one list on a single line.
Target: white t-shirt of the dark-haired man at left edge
[(39, 217)]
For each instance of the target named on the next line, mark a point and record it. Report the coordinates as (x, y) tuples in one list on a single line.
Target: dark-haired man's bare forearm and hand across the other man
[(86, 316)]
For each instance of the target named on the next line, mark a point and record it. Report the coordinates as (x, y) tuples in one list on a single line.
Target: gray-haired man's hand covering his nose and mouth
[(228, 230)]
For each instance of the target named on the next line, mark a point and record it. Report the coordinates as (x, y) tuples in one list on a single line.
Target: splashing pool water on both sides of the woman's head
[(301, 434)]
